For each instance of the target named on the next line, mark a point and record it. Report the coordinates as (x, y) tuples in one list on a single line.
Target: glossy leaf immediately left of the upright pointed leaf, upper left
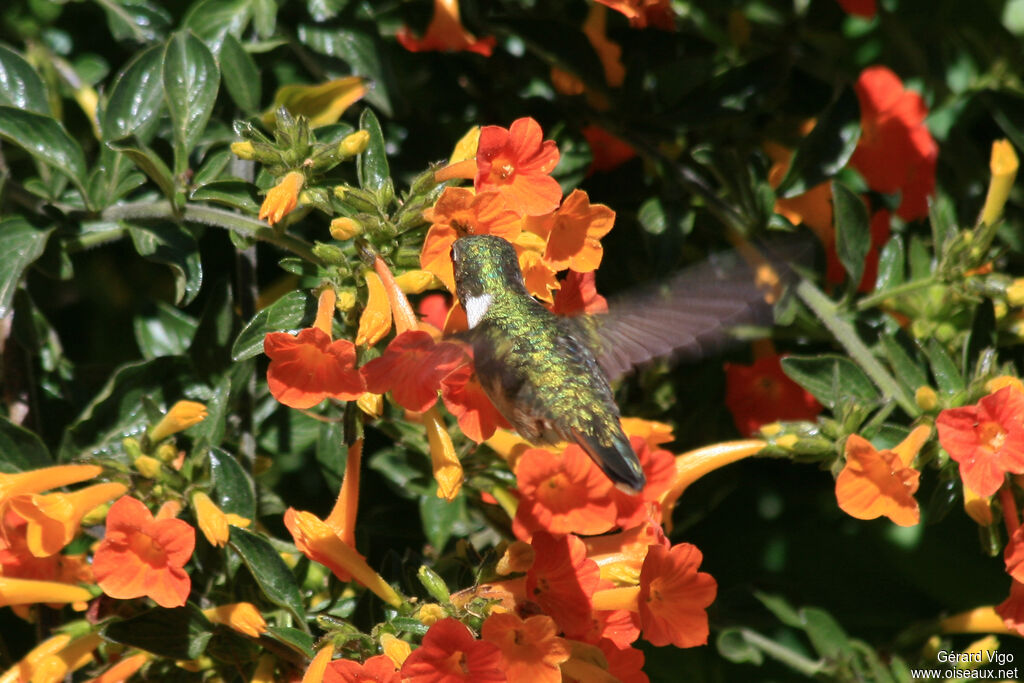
[(137, 99)]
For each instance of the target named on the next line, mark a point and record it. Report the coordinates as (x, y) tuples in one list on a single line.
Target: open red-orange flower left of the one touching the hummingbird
[(307, 369)]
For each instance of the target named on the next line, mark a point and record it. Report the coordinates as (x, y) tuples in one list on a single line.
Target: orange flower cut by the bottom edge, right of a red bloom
[(531, 650)]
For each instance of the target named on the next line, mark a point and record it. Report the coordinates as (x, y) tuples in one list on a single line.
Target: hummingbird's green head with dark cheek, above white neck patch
[(486, 266)]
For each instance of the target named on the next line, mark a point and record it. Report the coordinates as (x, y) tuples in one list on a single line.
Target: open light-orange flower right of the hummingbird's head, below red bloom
[(573, 233)]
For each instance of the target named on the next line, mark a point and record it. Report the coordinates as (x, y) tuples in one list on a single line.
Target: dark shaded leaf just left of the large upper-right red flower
[(827, 149)]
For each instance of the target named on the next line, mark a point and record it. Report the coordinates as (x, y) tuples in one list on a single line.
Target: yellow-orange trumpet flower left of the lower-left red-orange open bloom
[(54, 520)]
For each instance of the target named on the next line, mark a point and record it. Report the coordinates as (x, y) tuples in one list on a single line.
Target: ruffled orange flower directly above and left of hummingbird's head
[(459, 212)]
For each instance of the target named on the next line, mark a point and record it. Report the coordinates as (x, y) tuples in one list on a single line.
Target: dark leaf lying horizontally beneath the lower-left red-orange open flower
[(179, 633)]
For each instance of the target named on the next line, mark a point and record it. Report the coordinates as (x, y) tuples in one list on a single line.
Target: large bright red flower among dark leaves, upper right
[(897, 153)]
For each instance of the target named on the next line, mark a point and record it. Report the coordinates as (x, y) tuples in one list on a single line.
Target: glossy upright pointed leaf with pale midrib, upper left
[(191, 82)]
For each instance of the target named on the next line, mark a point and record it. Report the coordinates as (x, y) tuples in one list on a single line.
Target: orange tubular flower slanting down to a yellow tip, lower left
[(321, 543)]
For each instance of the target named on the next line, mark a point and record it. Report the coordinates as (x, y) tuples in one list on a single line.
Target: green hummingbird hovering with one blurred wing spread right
[(550, 376)]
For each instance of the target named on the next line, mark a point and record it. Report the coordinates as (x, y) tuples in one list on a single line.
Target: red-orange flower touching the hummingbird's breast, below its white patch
[(412, 369)]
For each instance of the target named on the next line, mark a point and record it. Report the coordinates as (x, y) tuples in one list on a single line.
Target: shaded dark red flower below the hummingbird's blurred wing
[(762, 394)]
